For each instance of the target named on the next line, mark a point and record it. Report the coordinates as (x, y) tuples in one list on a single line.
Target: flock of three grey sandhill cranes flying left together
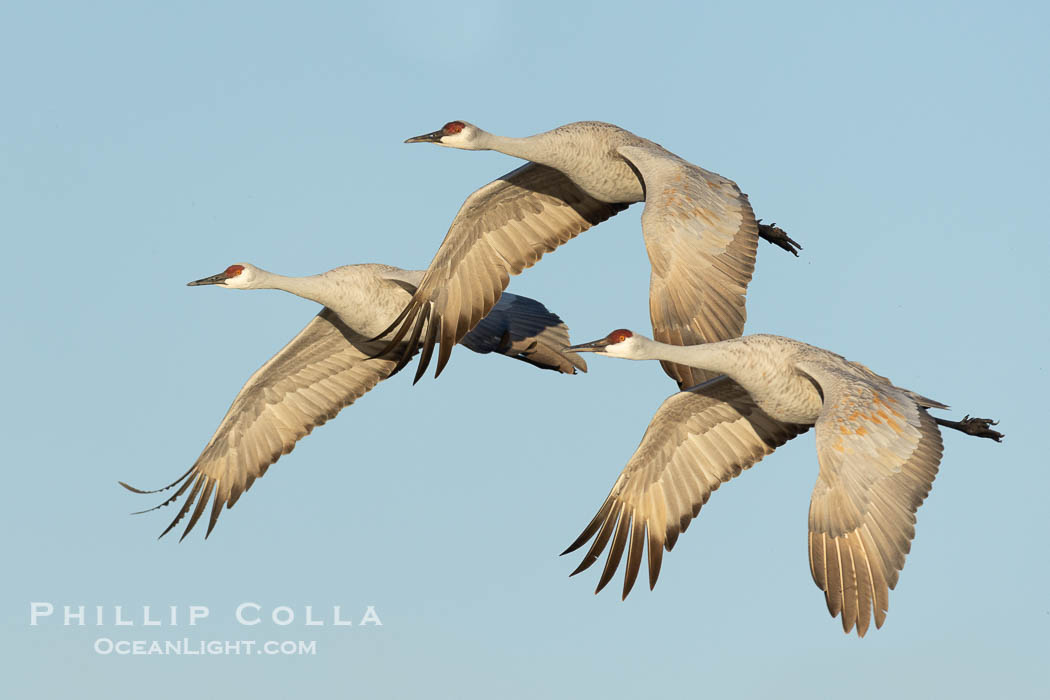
[(741, 398)]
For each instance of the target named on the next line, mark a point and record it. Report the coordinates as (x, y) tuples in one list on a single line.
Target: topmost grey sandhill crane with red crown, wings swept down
[(699, 227)]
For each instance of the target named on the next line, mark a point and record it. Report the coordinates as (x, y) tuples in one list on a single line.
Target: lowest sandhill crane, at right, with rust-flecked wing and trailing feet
[(877, 446)]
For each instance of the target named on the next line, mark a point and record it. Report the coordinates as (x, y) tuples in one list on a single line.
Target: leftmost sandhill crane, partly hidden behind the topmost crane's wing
[(330, 365)]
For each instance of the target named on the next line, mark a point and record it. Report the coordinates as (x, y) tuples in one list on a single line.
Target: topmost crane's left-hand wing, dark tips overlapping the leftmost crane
[(501, 229)]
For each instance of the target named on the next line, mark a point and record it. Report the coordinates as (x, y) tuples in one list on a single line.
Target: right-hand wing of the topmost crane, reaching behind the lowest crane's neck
[(702, 239)]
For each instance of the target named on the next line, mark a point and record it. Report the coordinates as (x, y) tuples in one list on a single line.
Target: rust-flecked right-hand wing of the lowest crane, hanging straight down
[(879, 452)]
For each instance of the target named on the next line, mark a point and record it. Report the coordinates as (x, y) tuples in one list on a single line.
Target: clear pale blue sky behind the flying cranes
[(144, 146)]
